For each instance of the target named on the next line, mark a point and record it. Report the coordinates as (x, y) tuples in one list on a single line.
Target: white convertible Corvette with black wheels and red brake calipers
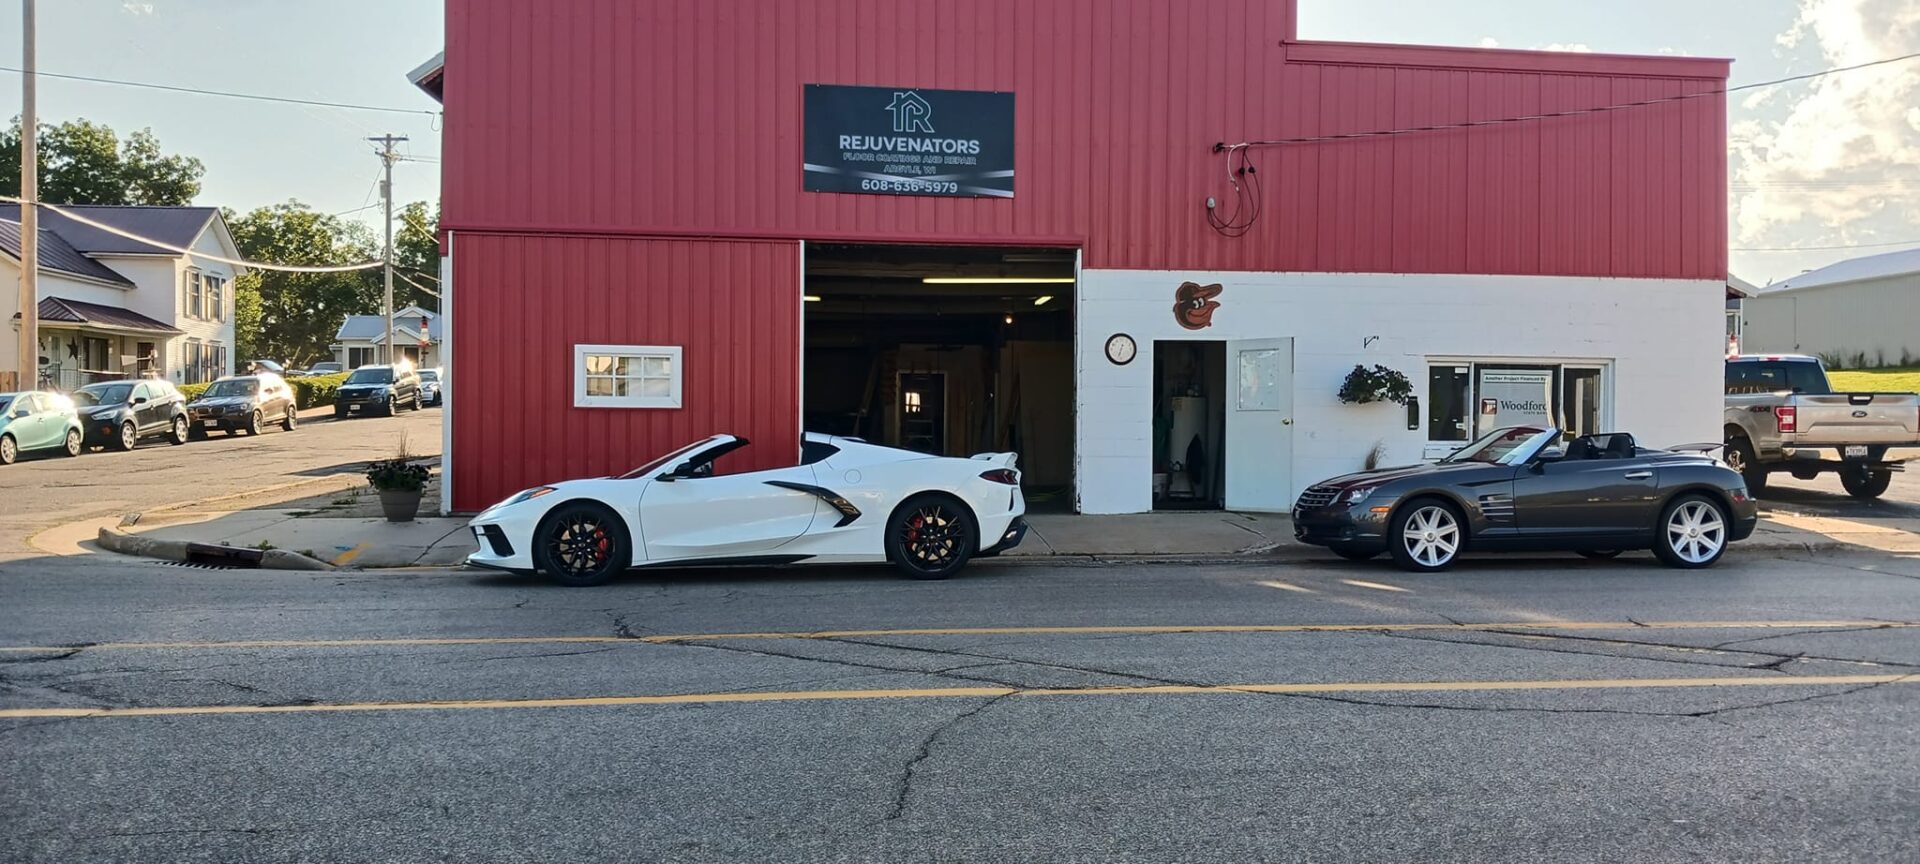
[(848, 502)]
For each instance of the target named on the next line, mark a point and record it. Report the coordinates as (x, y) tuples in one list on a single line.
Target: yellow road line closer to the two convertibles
[(1034, 631)]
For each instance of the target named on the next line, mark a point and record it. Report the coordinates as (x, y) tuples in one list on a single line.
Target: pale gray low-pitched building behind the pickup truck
[(1863, 312)]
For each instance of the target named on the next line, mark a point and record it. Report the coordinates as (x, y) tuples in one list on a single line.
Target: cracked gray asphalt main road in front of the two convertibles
[(1656, 717)]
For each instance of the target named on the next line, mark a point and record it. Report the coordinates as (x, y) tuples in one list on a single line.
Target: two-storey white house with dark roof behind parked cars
[(114, 308)]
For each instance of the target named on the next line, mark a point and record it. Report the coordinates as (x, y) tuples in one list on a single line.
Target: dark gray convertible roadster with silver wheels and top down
[(1518, 489)]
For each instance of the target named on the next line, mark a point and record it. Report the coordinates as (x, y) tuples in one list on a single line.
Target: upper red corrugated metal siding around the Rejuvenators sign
[(684, 116)]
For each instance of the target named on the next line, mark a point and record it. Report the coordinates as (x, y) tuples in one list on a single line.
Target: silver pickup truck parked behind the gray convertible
[(1785, 416)]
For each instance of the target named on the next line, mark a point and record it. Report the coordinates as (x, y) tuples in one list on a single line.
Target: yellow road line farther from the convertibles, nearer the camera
[(969, 692)]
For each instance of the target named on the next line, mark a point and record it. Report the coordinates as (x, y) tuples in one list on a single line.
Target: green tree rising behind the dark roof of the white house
[(84, 162)]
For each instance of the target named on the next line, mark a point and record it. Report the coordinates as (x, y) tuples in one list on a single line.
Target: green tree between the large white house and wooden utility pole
[(299, 314)]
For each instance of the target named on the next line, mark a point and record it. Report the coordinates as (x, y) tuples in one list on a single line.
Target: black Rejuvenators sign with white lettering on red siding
[(909, 143)]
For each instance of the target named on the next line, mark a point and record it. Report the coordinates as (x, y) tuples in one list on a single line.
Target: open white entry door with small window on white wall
[(1260, 425)]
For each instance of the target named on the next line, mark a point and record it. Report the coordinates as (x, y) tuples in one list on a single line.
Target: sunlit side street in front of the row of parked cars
[(41, 492)]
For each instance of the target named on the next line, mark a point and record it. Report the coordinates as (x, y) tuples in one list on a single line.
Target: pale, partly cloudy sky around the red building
[(1835, 162)]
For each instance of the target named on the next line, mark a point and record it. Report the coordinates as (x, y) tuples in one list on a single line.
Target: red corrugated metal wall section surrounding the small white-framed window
[(525, 302)]
